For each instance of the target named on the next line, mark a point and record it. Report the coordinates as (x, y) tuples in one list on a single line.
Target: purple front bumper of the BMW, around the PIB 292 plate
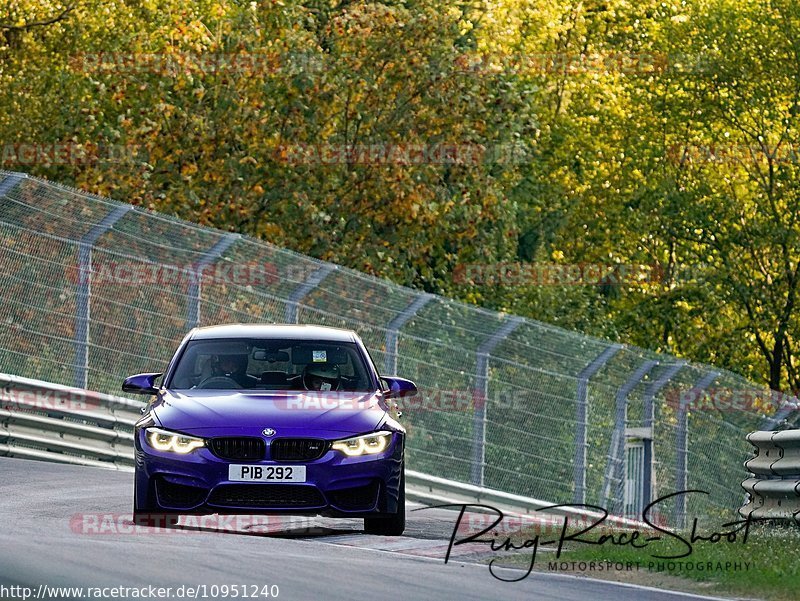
[(336, 485)]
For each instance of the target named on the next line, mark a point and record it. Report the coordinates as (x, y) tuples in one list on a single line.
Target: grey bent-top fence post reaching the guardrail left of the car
[(84, 292)]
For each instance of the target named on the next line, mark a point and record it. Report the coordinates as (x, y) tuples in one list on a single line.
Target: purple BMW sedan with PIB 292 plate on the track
[(271, 419)]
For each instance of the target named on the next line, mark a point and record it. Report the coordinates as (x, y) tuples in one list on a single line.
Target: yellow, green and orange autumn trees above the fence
[(410, 139)]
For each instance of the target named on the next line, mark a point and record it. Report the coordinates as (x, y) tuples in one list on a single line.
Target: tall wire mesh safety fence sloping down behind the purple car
[(140, 299)]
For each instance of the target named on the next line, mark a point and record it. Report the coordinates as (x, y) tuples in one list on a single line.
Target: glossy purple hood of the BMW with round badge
[(234, 413)]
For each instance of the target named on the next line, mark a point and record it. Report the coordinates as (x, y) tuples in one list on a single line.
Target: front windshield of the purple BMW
[(270, 364)]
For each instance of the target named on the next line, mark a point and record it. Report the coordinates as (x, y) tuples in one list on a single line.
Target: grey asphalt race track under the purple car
[(64, 525)]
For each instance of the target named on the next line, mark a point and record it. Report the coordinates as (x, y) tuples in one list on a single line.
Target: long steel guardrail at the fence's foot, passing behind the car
[(45, 421)]
